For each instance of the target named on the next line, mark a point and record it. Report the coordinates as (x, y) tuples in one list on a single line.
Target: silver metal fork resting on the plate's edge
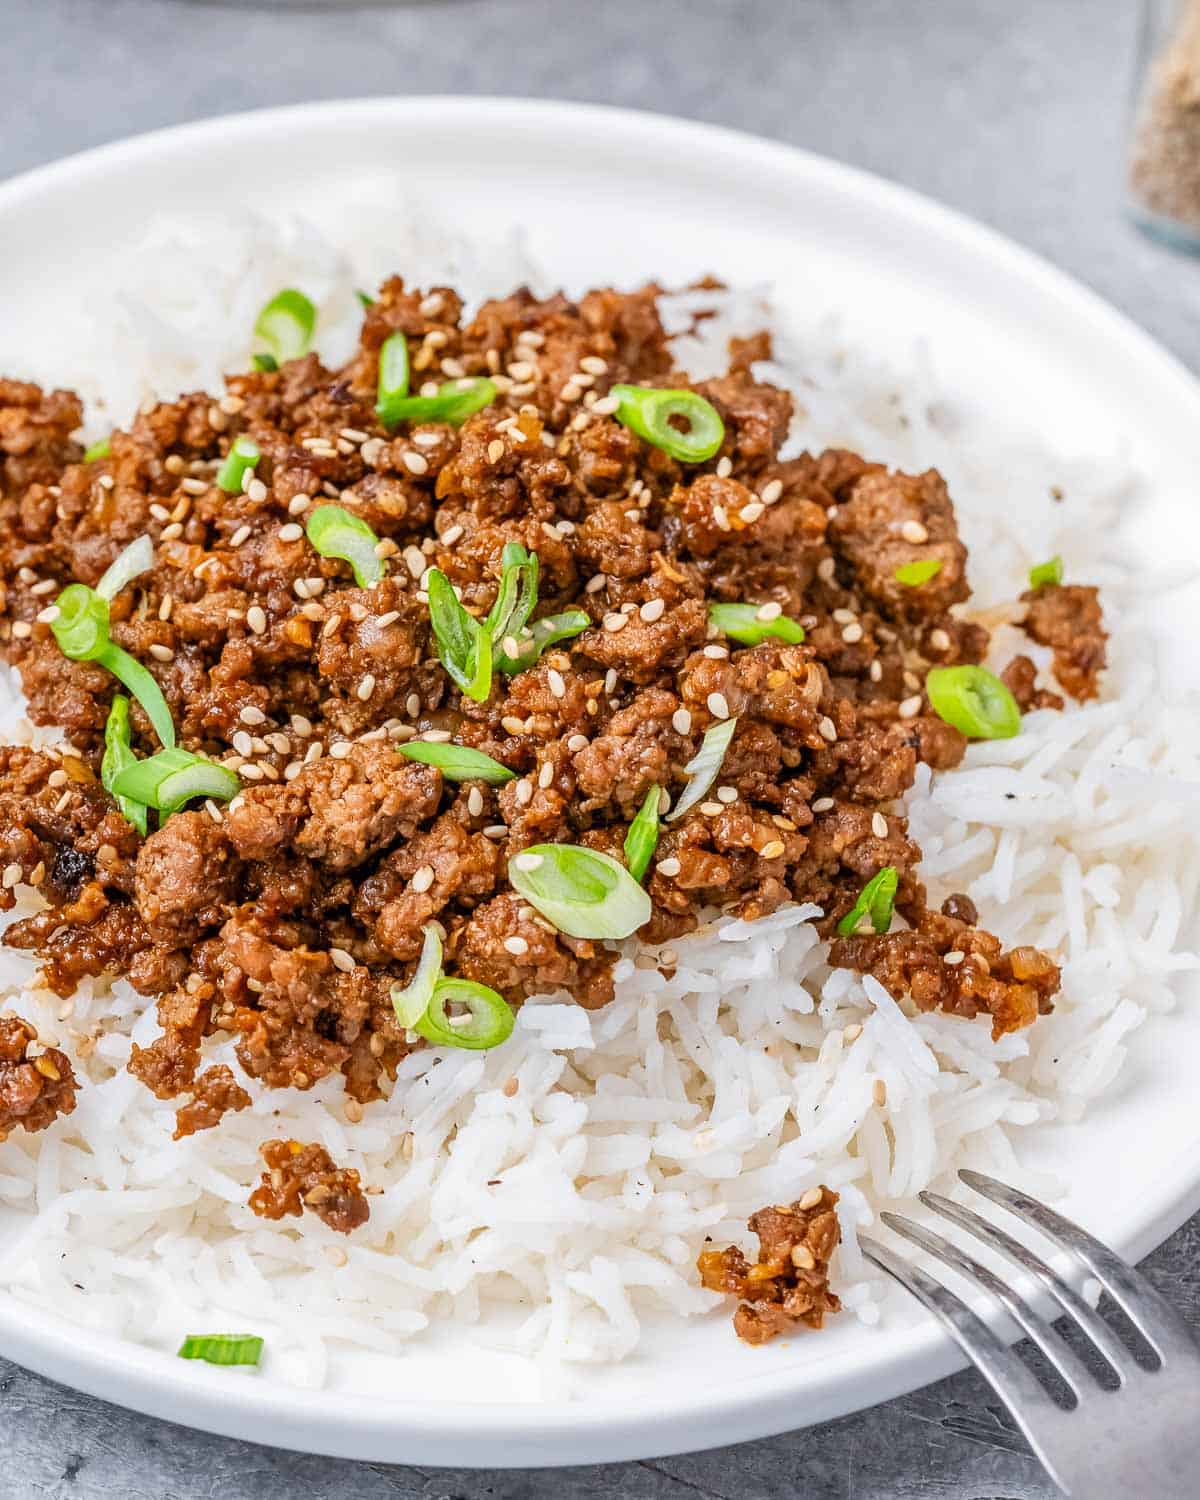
[(1136, 1438)]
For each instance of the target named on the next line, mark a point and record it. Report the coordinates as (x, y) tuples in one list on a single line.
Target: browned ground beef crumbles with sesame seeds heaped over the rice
[(286, 919)]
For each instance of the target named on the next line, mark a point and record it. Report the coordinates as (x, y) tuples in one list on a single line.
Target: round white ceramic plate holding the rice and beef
[(619, 197)]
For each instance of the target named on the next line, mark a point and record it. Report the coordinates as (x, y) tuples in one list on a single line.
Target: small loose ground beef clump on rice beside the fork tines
[(790, 1283)]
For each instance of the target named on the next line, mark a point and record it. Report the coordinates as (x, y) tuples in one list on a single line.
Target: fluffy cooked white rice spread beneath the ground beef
[(581, 1201)]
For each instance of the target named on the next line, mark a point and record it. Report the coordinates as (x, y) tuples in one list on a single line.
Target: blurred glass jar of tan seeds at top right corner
[(1165, 158)]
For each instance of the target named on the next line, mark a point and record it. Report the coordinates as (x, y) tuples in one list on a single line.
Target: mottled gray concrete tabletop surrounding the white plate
[(1012, 110)]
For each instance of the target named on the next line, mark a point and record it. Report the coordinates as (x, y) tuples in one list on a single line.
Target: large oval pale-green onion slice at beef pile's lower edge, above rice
[(583, 892)]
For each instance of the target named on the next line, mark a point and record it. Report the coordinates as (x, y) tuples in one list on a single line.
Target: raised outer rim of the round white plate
[(559, 1433)]
